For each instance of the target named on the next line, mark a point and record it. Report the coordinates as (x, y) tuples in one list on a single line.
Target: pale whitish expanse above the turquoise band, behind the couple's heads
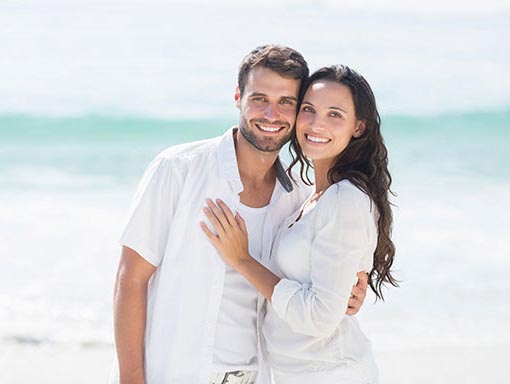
[(90, 56)]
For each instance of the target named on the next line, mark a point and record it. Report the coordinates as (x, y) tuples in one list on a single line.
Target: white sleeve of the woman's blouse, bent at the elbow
[(343, 245)]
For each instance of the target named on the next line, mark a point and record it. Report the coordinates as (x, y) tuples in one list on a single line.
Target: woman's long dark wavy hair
[(364, 162)]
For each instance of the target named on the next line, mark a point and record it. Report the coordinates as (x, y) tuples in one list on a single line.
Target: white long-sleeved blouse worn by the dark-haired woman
[(305, 329)]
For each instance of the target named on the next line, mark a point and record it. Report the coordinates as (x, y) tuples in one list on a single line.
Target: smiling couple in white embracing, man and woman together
[(235, 269)]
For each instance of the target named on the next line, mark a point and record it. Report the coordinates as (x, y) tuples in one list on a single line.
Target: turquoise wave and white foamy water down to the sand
[(66, 184)]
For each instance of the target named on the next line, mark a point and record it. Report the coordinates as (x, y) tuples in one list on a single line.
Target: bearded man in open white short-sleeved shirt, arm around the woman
[(181, 316)]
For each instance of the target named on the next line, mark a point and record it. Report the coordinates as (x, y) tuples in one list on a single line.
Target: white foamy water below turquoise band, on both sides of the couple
[(59, 256)]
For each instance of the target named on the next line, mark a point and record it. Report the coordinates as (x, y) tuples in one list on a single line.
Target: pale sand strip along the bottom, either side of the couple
[(23, 364)]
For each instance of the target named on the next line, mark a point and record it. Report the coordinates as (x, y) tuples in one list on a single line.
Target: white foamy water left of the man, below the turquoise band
[(57, 267)]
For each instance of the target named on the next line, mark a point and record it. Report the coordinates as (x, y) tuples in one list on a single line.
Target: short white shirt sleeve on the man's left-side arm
[(151, 212)]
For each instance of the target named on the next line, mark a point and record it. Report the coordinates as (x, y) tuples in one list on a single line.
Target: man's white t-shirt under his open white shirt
[(235, 343)]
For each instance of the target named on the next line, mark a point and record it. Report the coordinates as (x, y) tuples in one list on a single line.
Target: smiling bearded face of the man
[(268, 109)]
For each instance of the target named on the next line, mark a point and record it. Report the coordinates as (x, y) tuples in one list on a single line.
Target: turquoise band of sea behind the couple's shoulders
[(113, 150)]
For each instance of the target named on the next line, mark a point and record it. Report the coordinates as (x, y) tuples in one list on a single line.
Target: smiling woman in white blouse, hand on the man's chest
[(342, 228)]
